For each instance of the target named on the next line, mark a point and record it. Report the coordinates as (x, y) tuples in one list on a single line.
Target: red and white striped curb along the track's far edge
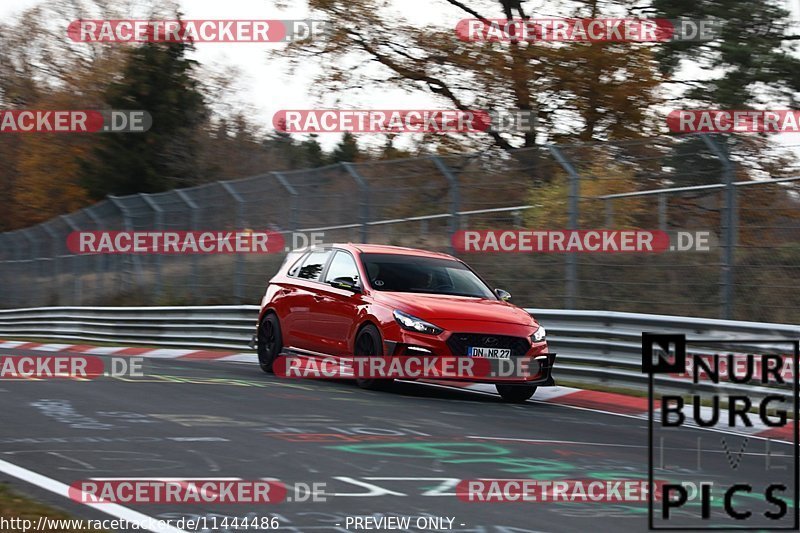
[(595, 400)]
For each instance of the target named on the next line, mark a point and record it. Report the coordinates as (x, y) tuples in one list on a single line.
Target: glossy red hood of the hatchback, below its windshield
[(439, 306)]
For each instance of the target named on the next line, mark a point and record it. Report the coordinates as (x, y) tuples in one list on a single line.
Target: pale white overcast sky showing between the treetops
[(267, 86)]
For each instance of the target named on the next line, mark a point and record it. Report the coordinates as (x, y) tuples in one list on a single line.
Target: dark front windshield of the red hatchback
[(409, 273)]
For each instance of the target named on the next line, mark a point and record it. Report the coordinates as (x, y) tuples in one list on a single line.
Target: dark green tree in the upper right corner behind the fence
[(753, 62)]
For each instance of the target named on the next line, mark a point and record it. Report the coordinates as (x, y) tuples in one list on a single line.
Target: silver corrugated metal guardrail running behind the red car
[(599, 348)]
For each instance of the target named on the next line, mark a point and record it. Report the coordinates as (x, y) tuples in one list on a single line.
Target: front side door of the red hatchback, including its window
[(336, 313)]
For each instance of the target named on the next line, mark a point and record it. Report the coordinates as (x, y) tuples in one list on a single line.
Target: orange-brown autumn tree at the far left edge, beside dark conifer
[(40, 69)]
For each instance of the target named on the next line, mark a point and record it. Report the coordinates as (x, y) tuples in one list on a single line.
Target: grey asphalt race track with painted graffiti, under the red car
[(395, 453)]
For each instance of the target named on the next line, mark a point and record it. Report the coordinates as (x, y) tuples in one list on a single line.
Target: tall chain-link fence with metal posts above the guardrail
[(669, 183)]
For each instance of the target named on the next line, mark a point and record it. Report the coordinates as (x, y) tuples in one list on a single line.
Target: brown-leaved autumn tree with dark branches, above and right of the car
[(576, 90)]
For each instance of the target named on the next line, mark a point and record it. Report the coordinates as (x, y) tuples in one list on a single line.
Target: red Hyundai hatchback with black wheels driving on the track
[(343, 300)]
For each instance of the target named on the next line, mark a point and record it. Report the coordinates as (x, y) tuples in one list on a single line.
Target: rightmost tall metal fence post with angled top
[(729, 226)]
